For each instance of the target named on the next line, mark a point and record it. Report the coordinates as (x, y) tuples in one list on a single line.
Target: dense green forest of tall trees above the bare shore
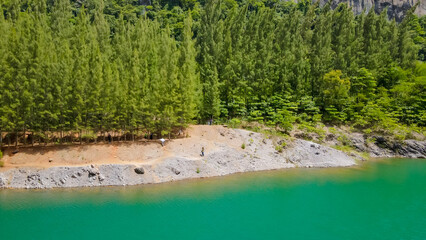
[(83, 68)]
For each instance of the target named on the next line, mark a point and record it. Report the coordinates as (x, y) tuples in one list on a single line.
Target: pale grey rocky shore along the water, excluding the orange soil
[(224, 158)]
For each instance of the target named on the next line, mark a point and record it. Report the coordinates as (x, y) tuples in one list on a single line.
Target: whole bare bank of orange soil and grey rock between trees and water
[(140, 163)]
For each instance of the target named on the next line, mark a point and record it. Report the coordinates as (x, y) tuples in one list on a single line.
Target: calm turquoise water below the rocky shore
[(377, 200)]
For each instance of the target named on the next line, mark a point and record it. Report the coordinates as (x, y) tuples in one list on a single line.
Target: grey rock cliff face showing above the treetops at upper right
[(396, 8)]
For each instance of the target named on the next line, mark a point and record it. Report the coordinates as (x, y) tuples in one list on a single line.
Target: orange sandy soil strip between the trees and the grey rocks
[(149, 152)]
